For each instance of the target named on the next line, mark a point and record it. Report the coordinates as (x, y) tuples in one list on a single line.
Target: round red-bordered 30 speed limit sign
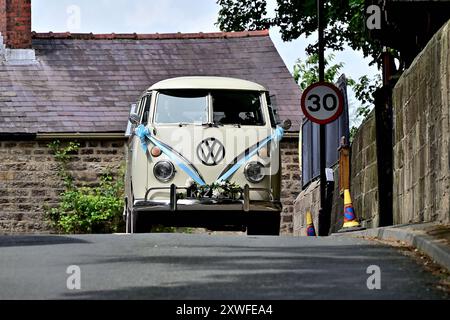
[(322, 102)]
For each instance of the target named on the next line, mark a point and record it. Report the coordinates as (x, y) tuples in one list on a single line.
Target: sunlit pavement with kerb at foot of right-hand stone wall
[(432, 239)]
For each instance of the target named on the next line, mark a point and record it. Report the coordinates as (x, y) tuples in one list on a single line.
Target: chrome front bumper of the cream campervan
[(207, 204)]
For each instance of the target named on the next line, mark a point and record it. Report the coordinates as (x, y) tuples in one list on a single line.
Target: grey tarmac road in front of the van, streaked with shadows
[(200, 266)]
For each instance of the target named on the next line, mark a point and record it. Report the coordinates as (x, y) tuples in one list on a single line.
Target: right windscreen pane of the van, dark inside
[(237, 108)]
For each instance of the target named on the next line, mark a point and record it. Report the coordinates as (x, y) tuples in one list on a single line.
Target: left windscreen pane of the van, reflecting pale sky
[(182, 106)]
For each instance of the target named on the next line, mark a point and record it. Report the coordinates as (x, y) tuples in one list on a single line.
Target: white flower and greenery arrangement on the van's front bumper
[(216, 190)]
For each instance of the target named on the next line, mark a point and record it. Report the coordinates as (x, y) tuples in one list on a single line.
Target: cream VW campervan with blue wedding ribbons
[(204, 152)]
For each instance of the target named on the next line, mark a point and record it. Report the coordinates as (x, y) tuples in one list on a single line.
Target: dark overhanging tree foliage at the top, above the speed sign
[(344, 20)]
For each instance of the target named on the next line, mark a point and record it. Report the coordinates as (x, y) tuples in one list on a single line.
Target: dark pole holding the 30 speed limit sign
[(324, 216)]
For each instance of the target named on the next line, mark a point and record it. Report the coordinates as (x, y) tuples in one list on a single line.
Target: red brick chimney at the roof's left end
[(15, 23)]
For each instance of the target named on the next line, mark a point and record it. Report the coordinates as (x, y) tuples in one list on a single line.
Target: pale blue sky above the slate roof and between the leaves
[(150, 16)]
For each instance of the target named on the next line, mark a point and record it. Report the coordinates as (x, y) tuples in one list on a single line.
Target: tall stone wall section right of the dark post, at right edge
[(421, 101)]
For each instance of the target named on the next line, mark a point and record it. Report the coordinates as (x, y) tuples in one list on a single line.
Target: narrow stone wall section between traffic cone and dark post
[(364, 173)]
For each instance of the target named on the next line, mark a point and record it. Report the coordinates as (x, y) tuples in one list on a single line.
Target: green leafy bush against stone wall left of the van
[(86, 209)]
